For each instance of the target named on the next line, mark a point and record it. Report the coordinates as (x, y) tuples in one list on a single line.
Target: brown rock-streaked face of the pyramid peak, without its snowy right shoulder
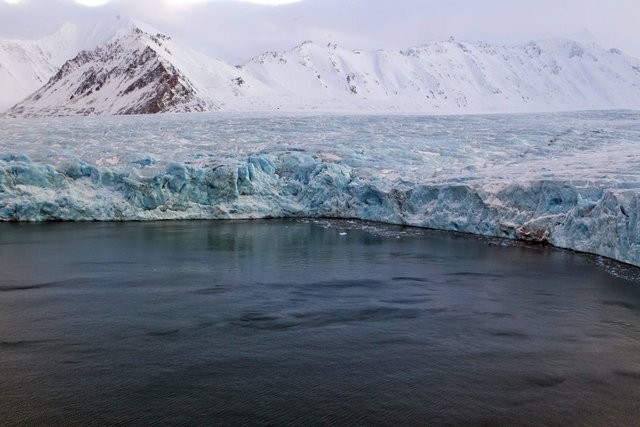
[(126, 76)]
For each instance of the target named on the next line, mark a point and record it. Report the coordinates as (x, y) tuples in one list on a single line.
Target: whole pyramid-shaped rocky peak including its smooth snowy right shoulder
[(140, 72)]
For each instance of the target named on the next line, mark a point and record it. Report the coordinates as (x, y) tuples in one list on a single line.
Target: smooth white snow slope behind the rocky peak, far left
[(26, 65)]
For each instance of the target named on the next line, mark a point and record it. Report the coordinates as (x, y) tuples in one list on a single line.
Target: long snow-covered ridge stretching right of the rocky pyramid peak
[(454, 77)]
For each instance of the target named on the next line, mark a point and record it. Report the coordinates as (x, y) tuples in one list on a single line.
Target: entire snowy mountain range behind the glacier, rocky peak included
[(130, 68)]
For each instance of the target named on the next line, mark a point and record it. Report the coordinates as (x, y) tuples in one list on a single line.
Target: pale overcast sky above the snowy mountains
[(235, 30)]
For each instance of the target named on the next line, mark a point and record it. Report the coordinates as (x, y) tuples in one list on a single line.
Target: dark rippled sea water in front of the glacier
[(298, 323)]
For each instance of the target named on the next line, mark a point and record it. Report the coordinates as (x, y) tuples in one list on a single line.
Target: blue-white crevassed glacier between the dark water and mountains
[(569, 179)]
